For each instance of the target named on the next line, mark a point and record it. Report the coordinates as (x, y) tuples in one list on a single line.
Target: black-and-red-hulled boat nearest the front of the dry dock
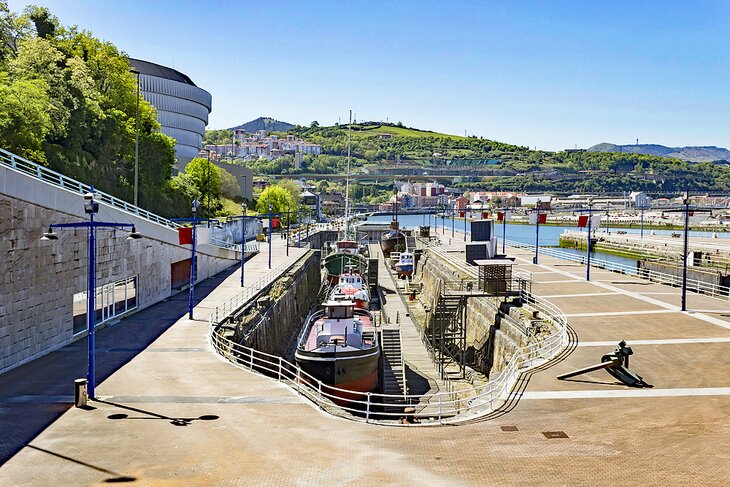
[(338, 345)]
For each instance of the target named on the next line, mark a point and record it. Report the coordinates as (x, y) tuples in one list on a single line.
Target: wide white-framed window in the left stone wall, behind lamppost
[(110, 300)]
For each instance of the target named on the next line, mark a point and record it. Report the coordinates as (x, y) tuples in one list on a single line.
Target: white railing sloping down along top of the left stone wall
[(50, 176)]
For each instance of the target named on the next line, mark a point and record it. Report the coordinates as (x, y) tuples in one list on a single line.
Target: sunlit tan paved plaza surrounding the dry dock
[(178, 415)]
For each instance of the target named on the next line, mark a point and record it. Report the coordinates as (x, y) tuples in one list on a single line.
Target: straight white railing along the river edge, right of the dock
[(700, 287)]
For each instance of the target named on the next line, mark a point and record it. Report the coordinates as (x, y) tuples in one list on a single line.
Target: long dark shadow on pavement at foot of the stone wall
[(34, 395)]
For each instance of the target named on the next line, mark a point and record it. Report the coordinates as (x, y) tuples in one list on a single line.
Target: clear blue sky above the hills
[(550, 74)]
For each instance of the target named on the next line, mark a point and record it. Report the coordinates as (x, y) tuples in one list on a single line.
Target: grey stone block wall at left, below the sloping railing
[(39, 278)]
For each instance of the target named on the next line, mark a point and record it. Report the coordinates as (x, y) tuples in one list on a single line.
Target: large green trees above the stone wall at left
[(68, 100)]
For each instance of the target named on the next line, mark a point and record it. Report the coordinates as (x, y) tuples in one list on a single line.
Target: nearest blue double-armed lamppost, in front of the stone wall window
[(91, 207)]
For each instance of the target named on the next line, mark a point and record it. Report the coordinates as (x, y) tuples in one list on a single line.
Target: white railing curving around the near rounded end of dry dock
[(438, 408)]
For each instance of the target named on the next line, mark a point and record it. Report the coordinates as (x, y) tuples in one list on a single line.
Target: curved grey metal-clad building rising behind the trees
[(182, 107)]
